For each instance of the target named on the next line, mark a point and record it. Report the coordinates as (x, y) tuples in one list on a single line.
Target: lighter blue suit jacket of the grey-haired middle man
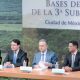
[(51, 57)]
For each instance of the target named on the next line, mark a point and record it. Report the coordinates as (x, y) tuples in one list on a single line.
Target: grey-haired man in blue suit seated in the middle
[(44, 56)]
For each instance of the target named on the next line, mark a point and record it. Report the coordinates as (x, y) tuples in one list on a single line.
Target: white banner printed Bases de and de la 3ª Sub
[(51, 14)]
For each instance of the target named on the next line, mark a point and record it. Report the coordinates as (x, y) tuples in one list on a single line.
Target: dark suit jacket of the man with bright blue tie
[(20, 58)]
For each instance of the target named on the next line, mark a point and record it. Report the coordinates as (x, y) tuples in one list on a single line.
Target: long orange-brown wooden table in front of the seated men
[(39, 75)]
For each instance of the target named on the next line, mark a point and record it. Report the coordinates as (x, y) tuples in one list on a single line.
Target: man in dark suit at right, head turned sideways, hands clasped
[(72, 60)]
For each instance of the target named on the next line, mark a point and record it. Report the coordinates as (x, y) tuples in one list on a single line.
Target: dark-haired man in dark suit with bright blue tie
[(16, 55)]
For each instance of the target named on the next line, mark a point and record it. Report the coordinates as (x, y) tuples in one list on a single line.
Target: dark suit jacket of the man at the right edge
[(67, 61)]
